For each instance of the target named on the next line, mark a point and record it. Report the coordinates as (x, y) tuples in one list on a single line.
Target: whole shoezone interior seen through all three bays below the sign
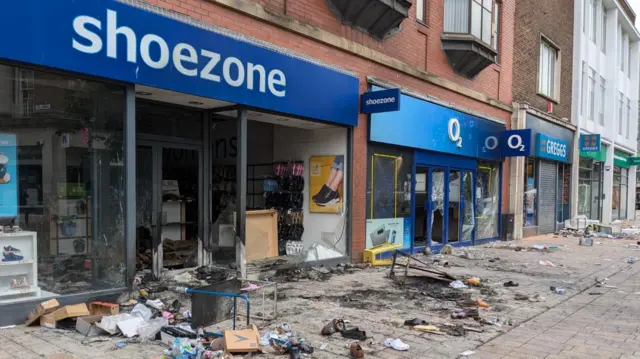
[(62, 151)]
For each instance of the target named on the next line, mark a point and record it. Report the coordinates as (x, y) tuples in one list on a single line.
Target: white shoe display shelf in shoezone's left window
[(19, 269)]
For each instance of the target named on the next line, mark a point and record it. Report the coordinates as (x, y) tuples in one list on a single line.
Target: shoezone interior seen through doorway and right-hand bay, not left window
[(296, 175)]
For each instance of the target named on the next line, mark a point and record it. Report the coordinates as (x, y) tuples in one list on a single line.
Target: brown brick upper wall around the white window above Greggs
[(552, 19)]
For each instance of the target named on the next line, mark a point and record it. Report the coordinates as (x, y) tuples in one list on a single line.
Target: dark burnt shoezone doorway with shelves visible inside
[(168, 200)]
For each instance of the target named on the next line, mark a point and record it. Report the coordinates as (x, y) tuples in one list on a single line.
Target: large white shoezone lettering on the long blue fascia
[(188, 60)]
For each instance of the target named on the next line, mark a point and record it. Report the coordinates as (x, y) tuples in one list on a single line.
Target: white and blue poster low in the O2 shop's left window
[(388, 230)]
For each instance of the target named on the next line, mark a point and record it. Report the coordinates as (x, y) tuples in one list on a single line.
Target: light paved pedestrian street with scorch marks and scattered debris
[(587, 321)]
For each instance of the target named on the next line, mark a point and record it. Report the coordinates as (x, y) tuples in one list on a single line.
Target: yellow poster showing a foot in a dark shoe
[(326, 191)]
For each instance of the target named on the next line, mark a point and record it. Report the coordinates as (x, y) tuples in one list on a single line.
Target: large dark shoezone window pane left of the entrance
[(63, 184)]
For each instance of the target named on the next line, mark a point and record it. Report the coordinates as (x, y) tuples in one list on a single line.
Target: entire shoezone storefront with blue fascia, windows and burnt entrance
[(134, 138)]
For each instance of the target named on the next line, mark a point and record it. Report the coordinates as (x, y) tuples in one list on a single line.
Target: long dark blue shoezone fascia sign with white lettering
[(108, 39)]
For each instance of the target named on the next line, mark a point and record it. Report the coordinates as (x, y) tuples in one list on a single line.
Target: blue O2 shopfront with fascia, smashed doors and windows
[(434, 177)]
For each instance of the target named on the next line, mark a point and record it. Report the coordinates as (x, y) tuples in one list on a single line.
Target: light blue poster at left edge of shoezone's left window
[(8, 176)]
